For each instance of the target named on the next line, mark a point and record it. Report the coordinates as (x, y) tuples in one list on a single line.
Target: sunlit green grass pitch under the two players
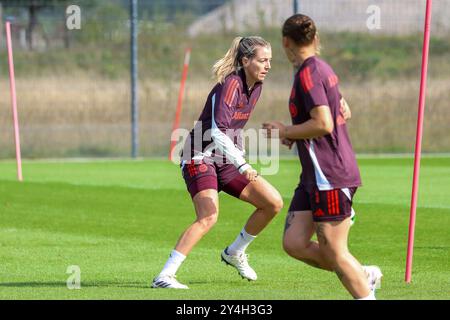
[(118, 221)]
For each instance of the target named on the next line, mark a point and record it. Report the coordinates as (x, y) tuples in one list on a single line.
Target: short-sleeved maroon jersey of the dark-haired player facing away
[(327, 162)]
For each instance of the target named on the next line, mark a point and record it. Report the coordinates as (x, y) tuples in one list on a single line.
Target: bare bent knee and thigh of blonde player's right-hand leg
[(260, 193)]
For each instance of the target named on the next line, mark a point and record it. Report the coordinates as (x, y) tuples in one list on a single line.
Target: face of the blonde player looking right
[(257, 68)]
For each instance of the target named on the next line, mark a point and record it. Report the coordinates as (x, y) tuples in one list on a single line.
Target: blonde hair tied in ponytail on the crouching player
[(231, 62)]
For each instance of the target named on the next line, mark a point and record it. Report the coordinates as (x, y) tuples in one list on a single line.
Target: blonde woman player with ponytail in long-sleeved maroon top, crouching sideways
[(213, 159)]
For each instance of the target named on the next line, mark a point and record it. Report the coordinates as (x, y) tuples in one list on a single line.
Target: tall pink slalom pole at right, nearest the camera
[(418, 150)]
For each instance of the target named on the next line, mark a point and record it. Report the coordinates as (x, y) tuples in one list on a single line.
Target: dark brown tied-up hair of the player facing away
[(300, 28)]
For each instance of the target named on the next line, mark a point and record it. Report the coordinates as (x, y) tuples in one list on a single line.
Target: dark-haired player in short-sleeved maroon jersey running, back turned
[(322, 202)]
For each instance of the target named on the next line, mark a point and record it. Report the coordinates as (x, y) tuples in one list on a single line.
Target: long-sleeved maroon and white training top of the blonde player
[(227, 108)]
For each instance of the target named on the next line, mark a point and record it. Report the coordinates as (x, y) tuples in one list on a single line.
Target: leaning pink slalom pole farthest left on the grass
[(14, 101)]
